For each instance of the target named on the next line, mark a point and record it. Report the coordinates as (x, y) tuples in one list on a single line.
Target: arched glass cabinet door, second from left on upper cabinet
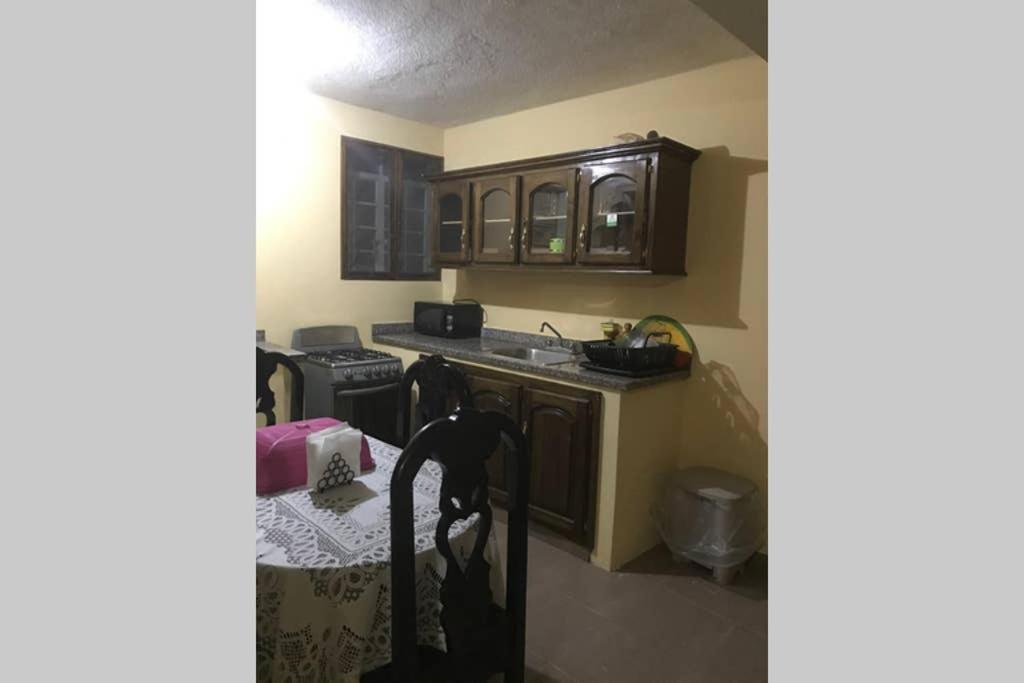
[(496, 221)]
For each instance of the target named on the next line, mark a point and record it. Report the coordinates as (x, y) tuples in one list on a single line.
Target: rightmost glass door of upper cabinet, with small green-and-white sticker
[(613, 229)]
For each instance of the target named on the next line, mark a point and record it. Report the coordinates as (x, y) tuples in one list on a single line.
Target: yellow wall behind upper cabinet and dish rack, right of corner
[(723, 111)]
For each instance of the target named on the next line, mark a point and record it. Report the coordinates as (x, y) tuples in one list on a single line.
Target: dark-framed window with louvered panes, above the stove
[(389, 215)]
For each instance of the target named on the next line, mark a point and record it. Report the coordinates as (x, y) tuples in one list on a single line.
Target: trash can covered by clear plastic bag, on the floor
[(711, 518)]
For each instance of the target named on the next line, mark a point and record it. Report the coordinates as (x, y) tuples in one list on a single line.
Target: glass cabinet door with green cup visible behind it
[(549, 201)]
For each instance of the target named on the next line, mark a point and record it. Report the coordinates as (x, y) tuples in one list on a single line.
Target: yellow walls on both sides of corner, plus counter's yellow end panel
[(718, 417)]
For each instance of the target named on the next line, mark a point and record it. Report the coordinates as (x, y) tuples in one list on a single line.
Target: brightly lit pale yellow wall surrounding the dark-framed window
[(298, 238)]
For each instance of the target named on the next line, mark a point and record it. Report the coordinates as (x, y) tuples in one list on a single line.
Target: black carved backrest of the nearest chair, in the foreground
[(481, 638)]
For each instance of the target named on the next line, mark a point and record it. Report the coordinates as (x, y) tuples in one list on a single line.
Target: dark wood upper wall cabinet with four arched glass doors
[(622, 208)]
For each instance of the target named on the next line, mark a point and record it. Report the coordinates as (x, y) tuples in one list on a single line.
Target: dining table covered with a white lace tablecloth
[(324, 574)]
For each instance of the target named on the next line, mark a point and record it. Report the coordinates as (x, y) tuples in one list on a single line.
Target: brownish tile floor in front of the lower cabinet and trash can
[(655, 621)]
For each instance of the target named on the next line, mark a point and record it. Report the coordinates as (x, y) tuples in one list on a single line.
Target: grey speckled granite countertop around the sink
[(478, 350)]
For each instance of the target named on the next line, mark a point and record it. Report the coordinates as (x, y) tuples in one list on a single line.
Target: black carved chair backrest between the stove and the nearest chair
[(439, 381)]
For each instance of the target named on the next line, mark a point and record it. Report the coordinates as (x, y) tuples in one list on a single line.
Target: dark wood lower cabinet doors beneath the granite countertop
[(563, 425)]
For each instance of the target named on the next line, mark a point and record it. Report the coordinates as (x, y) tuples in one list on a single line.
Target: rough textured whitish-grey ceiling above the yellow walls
[(453, 62)]
